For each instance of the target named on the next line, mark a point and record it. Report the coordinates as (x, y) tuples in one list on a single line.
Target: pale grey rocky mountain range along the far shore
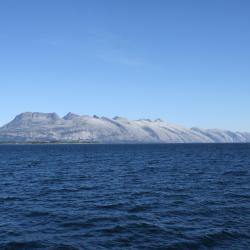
[(83, 128)]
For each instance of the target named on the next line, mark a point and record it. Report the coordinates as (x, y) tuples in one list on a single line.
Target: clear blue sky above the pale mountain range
[(187, 62)]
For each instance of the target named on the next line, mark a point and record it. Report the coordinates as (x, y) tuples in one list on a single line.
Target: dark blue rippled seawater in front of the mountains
[(186, 196)]
